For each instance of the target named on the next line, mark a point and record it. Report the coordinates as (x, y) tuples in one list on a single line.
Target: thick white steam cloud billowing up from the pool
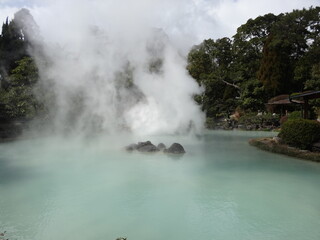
[(108, 68)]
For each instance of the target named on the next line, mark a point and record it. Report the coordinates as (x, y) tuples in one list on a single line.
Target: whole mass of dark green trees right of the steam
[(268, 56)]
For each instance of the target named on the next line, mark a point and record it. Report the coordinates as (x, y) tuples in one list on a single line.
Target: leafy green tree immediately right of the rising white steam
[(210, 64)]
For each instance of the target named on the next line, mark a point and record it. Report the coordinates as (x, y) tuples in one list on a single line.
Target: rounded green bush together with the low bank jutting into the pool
[(298, 138)]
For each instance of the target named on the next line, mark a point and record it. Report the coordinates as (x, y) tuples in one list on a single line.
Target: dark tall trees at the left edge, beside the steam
[(18, 72)]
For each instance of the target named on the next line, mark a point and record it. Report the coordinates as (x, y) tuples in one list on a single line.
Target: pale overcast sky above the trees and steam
[(188, 20)]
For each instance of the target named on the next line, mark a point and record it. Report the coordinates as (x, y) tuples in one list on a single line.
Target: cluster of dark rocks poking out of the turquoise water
[(175, 148)]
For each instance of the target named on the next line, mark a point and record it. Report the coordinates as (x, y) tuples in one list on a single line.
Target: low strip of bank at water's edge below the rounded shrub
[(274, 146)]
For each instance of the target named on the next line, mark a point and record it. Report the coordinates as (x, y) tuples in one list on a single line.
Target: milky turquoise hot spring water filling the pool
[(222, 188)]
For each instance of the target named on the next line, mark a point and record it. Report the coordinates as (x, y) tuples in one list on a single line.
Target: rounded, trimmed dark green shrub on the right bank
[(300, 133)]
